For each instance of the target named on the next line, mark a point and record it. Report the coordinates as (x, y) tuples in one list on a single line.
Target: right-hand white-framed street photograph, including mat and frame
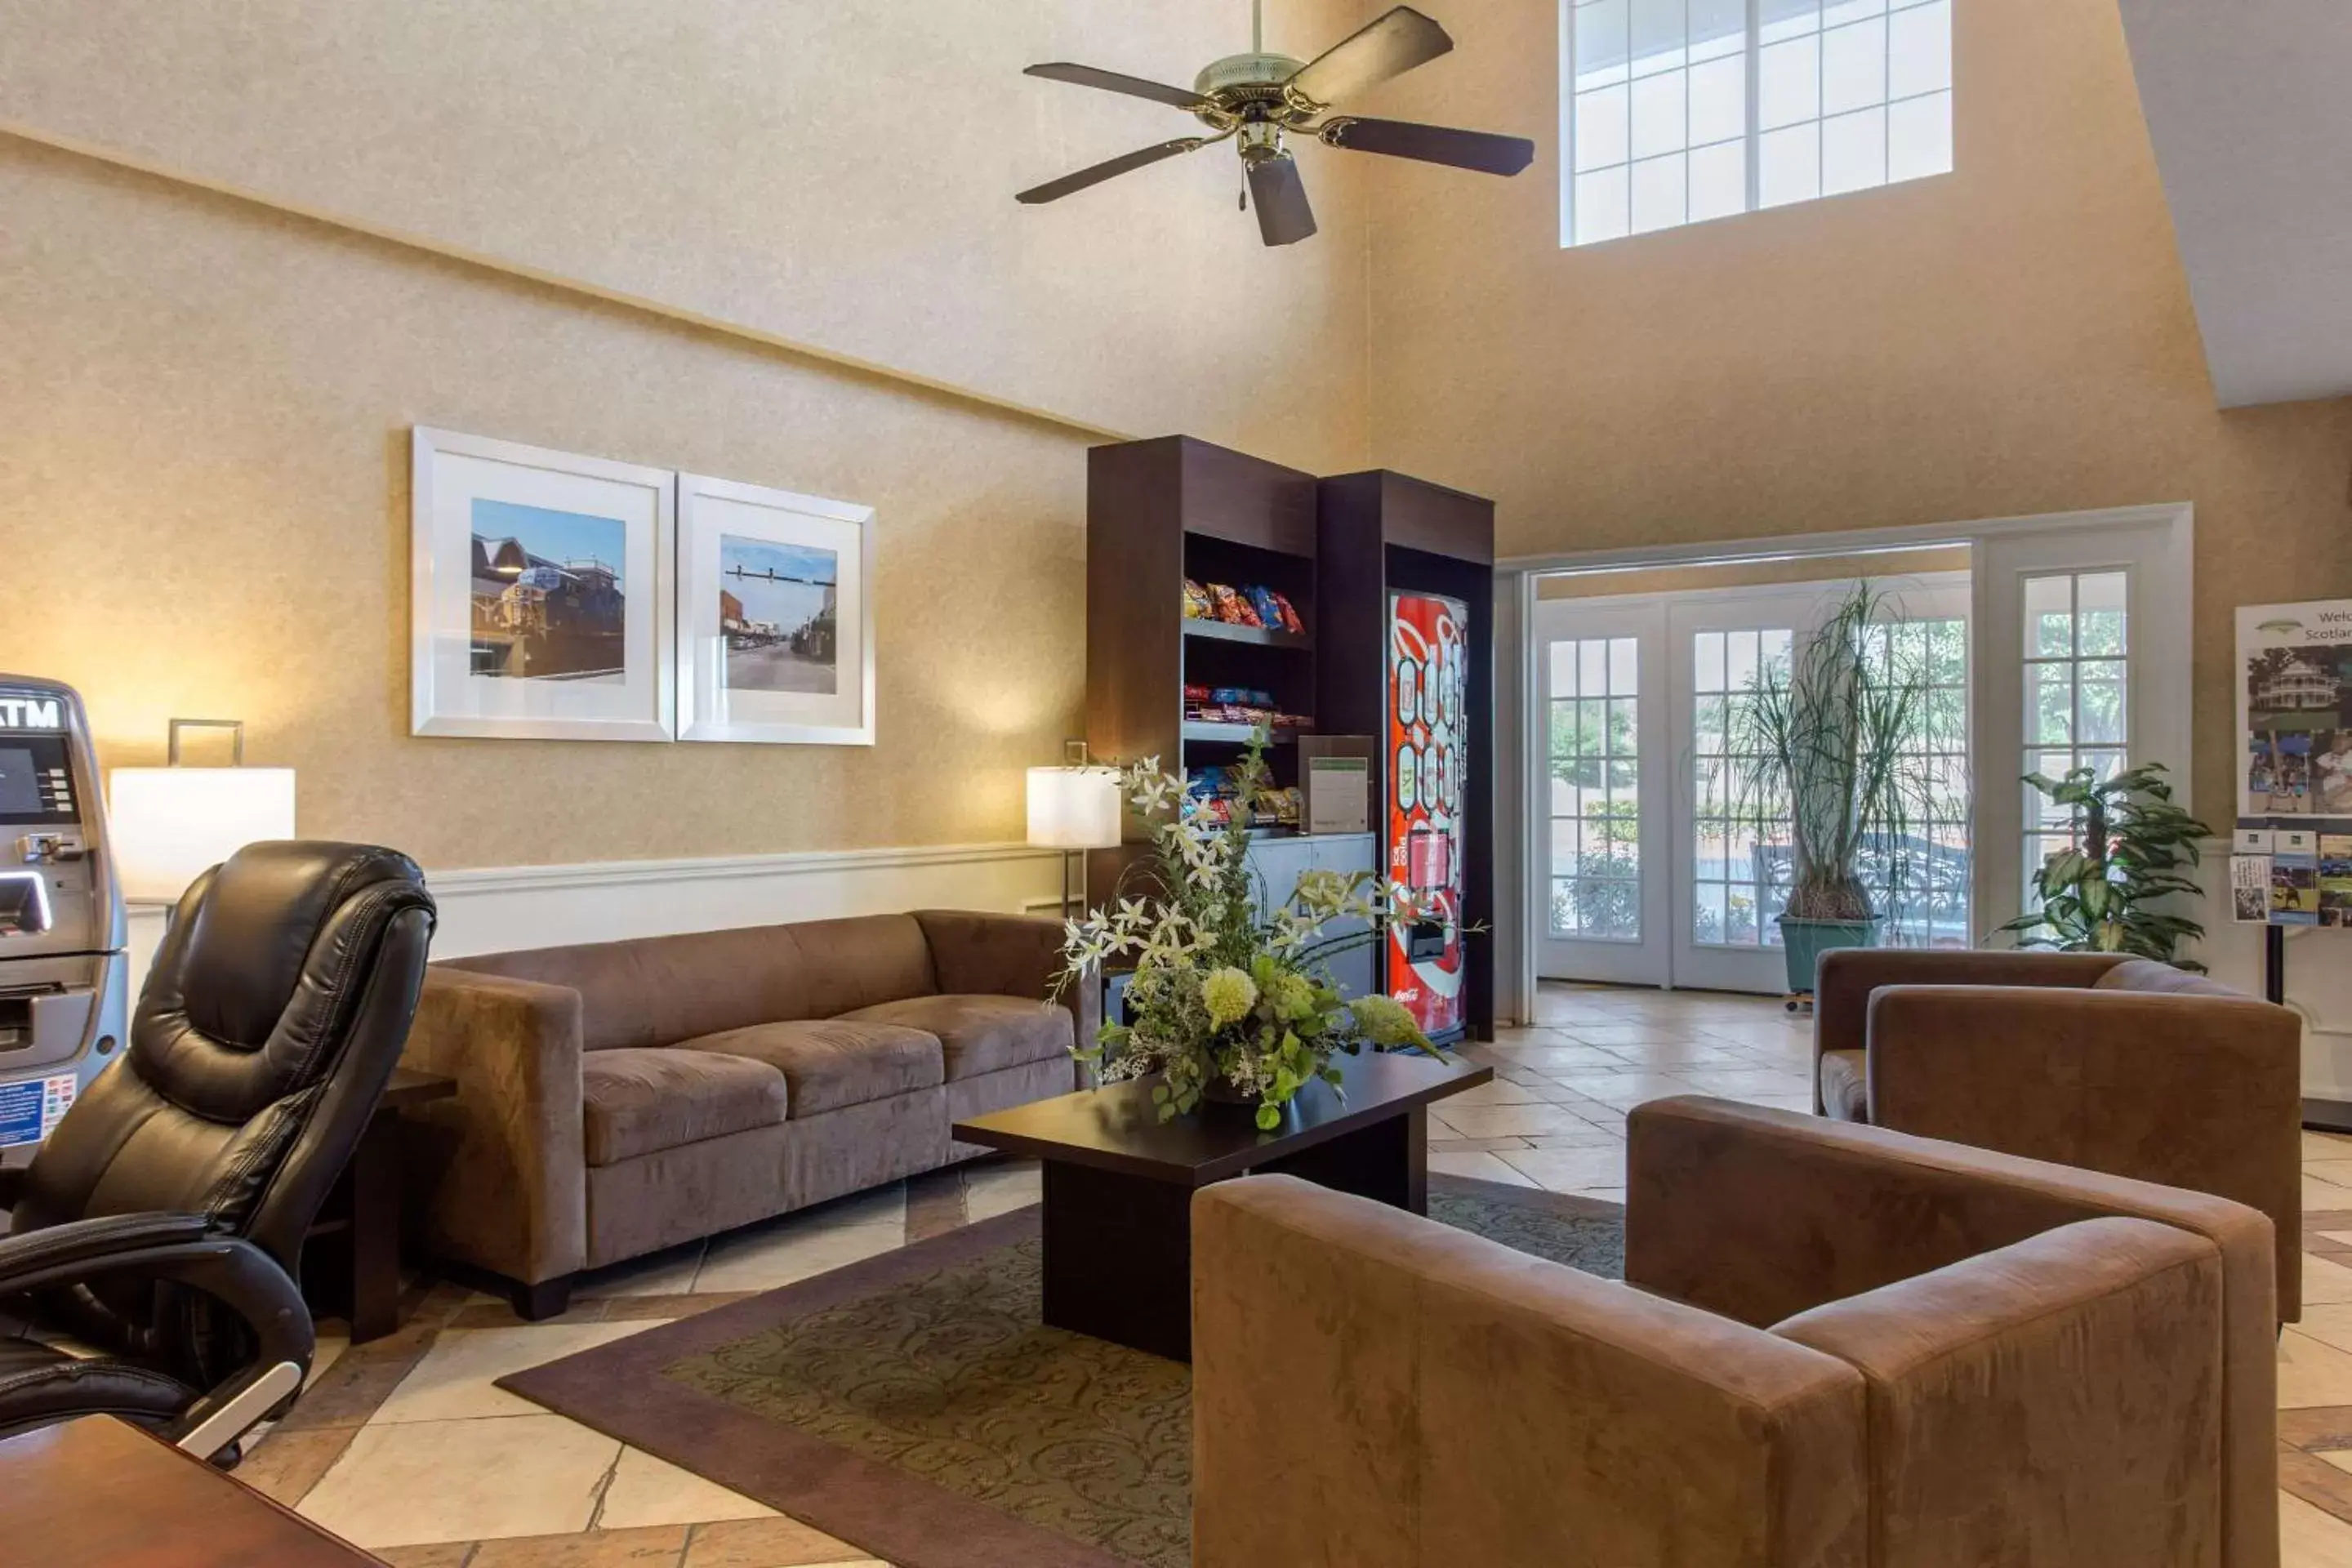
[(775, 617)]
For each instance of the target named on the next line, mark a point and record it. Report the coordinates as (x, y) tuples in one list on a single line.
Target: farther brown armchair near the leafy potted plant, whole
[(2085, 1059)]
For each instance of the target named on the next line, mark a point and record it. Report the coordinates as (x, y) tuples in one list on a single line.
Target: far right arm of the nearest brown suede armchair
[(1765, 1214)]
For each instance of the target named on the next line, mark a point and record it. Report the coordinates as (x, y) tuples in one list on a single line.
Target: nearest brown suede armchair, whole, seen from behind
[(1845, 1348)]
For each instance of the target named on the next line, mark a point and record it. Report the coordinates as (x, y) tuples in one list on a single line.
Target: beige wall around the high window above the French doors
[(2014, 337)]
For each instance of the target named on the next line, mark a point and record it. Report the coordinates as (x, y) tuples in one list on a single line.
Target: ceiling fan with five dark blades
[(1257, 100)]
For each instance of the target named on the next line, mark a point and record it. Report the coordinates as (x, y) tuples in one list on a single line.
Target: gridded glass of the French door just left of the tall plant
[(1739, 833)]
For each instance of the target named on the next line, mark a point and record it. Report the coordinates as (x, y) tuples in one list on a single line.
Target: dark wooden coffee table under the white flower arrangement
[(1118, 1181)]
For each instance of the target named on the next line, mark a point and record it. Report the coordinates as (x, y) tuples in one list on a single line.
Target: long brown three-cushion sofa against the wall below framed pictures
[(627, 1097)]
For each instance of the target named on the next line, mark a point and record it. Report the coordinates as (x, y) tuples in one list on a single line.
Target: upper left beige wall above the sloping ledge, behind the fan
[(834, 175)]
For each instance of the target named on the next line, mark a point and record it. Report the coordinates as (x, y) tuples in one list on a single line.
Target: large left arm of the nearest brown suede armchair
[(1379, 1391)]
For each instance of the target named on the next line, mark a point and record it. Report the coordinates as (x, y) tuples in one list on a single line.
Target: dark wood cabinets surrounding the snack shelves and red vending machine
[(1175, 509)]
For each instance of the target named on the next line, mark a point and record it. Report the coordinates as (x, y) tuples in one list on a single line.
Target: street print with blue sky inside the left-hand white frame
[(547, 594)]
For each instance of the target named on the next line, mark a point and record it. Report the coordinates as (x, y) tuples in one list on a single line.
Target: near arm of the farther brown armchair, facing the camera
[(2179, 1090)]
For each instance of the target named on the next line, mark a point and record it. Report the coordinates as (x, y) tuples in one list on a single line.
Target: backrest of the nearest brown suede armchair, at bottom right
[(2094, 1339)]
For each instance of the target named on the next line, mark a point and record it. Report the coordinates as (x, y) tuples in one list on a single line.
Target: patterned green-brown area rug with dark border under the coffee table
[(914, 1405)]
